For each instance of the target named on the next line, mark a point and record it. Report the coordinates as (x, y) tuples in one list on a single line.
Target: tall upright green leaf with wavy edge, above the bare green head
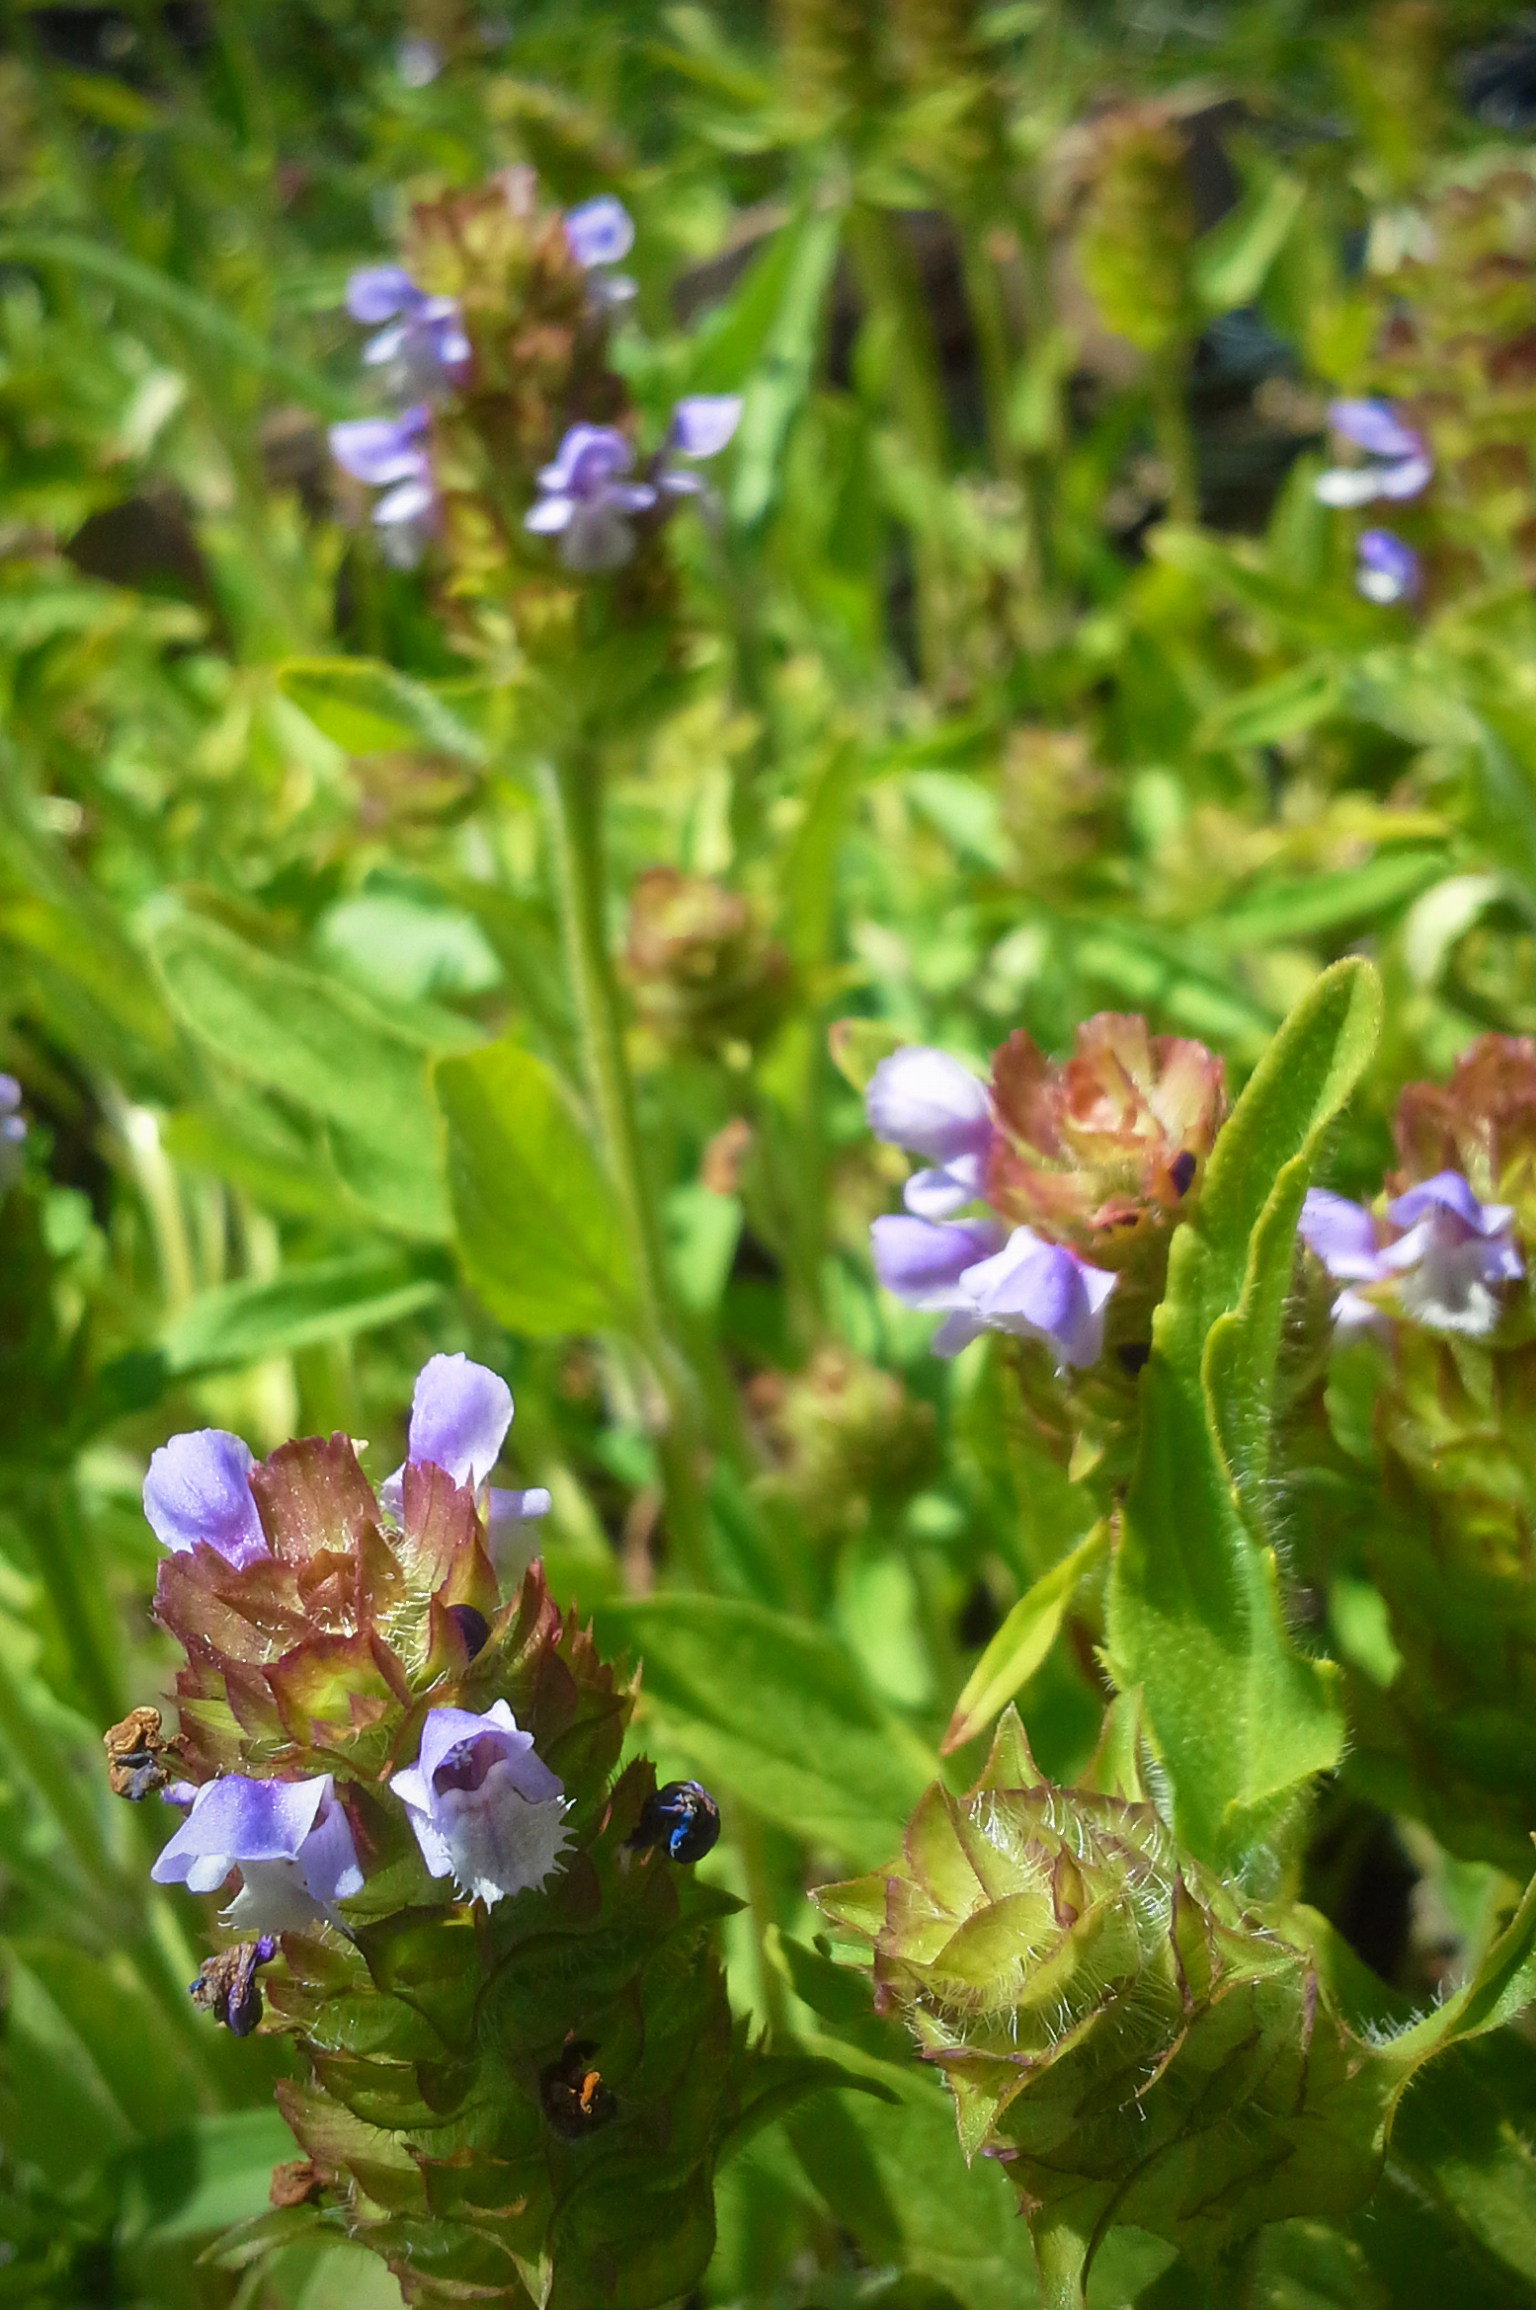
[(1195, 1611)]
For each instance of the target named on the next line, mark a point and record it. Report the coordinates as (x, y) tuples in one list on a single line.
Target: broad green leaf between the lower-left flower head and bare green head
[(777, 1713)]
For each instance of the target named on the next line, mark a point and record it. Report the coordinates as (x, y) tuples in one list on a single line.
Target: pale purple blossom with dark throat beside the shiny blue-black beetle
[(484, 1808)]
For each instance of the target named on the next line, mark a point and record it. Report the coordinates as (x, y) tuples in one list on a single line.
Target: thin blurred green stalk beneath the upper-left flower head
[(574, 787)]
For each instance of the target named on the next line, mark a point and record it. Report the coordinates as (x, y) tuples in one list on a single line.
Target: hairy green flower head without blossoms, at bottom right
[(1131, 2039)]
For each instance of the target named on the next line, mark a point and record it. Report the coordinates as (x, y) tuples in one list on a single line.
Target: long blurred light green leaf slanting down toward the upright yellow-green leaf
[(325, 1048)]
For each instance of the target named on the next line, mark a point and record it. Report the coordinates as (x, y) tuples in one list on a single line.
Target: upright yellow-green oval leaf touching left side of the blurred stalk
[(537, 1219)]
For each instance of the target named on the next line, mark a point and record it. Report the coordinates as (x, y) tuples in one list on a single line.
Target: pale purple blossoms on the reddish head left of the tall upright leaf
[(974, 1272)]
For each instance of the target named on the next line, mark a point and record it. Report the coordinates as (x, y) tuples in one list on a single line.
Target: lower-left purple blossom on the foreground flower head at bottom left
[(290, 1842)]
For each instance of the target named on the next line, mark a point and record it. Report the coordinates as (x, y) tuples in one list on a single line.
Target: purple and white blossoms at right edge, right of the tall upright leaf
[(1445, 1255)]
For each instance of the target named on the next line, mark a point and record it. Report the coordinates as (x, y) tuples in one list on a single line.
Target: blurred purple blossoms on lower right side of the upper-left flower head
[(590, 495)]
